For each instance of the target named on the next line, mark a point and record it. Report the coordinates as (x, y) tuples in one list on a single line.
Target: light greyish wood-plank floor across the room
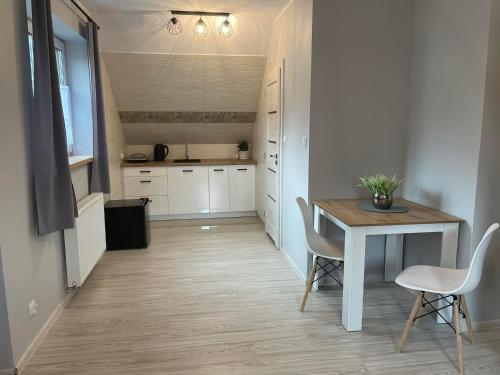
[(222, 301)]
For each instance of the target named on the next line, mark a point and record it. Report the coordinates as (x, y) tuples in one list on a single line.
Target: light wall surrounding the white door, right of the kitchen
[(290, 41)]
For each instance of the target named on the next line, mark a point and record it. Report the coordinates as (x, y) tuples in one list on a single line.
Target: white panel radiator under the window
[(86, 242)]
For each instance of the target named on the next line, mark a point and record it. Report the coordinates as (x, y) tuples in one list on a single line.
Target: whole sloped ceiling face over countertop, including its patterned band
[(171, 99)]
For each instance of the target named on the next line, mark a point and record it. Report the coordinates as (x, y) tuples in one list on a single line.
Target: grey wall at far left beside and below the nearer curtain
[(33, 266)]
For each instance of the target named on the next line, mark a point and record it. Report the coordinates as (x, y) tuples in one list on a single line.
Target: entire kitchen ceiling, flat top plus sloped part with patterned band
[(181, 89)]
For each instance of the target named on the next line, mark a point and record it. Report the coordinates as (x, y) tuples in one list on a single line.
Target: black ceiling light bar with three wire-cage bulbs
[(225, 30)]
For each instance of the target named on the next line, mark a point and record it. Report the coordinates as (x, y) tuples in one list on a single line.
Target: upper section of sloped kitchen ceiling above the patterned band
[(161, 82)]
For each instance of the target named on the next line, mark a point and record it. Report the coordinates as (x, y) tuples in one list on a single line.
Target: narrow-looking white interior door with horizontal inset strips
[(273, 156)]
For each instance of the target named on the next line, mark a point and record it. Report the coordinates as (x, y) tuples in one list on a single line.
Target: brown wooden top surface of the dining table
[(346, 210)]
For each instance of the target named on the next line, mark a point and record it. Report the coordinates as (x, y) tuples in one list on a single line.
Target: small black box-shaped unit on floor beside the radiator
[(127, 226)]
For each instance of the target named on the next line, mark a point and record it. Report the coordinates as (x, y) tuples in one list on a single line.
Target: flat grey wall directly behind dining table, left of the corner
[(358, 99)]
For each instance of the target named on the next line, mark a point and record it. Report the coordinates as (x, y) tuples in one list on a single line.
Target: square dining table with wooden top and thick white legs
[(359, 223)]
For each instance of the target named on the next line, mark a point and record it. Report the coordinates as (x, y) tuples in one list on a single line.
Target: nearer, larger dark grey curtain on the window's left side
[(55, 203)]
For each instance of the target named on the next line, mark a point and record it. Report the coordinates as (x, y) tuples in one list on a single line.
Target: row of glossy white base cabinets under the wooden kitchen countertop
[(192, 190)]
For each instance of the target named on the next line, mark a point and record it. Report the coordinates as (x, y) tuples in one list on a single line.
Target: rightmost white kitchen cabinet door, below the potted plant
[(242, 188)]
